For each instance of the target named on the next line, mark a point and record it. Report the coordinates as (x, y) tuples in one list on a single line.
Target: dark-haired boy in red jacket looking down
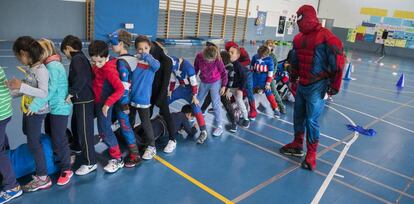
[(108, 89)]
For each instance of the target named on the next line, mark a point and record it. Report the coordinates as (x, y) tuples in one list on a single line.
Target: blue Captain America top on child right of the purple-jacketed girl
[(263, 70)]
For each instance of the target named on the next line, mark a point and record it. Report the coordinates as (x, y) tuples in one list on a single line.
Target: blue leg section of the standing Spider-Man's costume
[(309, 105)]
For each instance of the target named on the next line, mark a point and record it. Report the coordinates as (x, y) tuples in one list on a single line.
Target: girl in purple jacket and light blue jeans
[(213, 76)]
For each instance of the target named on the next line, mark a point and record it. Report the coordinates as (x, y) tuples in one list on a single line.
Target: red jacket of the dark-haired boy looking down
[(107, 84)]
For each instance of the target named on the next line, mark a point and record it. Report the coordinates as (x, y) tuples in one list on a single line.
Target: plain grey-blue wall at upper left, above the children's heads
[(52, 19)]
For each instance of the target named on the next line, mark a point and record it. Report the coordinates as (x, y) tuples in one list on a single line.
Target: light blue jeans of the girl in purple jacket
[(214, 89)]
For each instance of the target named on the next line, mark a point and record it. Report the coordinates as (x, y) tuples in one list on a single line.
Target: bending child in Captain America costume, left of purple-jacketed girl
[(183, 71)]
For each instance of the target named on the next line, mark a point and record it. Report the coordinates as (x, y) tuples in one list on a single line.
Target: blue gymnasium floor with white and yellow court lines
[(246, 167)]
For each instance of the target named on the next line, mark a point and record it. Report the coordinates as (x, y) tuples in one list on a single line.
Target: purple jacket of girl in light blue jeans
[(210, 72)]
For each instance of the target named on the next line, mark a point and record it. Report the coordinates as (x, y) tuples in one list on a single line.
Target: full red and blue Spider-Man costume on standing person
[(317, 61)]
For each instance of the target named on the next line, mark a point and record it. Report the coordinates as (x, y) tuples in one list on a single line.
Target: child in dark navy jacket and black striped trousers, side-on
[(81, 95)]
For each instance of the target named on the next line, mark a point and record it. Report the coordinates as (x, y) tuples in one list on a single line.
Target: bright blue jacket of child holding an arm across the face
[(141, 80)]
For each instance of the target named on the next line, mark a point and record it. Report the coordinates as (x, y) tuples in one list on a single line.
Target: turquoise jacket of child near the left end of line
[(57, 91)]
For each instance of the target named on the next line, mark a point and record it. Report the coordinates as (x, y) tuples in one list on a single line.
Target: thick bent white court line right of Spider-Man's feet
[(338, 162)]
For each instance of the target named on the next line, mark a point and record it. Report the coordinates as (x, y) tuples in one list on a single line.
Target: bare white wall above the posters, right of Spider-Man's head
[(346, 12)]
